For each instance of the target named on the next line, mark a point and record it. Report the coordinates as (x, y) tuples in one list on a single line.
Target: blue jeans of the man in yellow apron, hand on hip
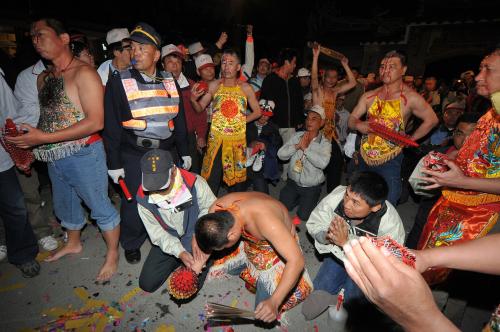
[(391, 172)]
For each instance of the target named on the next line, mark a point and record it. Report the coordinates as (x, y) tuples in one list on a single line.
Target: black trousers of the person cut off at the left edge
[(21, 242)]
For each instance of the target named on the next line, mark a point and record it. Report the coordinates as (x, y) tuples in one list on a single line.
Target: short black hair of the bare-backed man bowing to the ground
[(211, 230)]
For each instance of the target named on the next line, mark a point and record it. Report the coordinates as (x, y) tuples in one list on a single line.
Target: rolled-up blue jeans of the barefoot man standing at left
[(83, 176)]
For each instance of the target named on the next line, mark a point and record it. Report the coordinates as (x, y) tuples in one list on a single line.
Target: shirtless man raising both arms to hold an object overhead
[(325, 95)]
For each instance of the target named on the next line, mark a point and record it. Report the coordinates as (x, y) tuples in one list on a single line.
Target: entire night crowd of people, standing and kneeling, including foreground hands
[(173, 124)]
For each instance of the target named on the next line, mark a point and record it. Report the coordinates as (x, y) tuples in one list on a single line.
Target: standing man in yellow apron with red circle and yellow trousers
[(226, 146)]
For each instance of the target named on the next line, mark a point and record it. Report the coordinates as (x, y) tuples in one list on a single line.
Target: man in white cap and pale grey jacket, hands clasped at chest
[(309, 153)]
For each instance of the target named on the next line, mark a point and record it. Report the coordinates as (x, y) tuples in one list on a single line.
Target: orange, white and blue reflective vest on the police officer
[(153, 106)]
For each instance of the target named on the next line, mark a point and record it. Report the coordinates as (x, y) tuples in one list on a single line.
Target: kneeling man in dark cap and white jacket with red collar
[(170, 201)]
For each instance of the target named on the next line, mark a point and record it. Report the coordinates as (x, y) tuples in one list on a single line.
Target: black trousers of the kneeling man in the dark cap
[(158, 267)]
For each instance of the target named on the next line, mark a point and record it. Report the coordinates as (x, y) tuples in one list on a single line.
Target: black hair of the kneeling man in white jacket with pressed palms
[(370, 186)]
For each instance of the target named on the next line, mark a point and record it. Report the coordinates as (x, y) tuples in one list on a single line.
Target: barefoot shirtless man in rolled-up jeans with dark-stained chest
[(71, 115)]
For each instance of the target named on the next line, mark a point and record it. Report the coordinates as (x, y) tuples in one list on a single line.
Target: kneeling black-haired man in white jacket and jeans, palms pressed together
[(359, 209)]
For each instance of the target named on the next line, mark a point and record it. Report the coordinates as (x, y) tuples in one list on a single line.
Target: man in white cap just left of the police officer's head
[(118, 52)]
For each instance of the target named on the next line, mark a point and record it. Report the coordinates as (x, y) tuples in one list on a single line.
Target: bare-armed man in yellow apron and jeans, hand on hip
[(391, 105)]
